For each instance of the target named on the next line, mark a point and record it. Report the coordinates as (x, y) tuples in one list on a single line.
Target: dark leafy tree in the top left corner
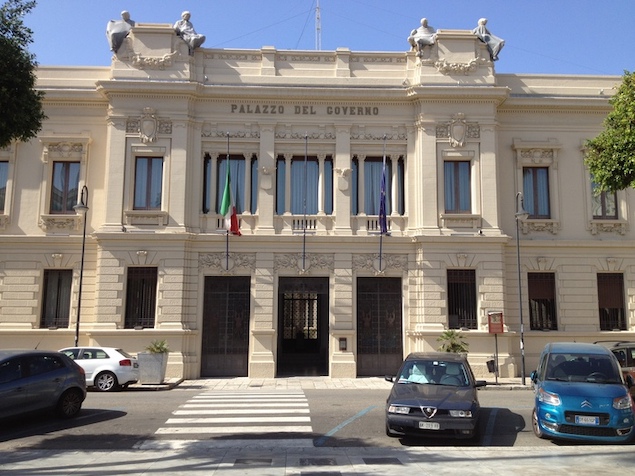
[(21, 113)]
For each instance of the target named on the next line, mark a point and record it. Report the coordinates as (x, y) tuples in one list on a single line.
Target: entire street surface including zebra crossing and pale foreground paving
[(202, 430)]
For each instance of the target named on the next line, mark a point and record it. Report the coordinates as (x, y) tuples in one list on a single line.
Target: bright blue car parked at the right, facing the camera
[(580, 394)]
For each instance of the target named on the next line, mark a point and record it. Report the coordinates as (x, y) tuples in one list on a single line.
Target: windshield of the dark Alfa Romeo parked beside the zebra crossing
[(434, 372)]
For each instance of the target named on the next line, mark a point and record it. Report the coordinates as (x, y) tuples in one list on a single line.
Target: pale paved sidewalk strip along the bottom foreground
[(261, 458)]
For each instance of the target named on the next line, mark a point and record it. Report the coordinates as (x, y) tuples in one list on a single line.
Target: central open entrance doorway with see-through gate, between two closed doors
[(303, 326)]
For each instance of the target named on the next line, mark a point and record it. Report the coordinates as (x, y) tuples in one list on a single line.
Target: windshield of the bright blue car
[(569, 367)]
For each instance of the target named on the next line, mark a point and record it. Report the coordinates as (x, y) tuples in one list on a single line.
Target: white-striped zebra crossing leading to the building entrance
[(224, 417)]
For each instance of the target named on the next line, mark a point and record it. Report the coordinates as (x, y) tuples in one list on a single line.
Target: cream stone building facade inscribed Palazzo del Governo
[(312, 286)]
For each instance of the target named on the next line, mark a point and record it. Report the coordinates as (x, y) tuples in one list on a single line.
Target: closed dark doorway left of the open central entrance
[(225, 349)]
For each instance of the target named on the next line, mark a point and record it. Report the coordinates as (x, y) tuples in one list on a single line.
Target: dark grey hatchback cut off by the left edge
[(32, 380)]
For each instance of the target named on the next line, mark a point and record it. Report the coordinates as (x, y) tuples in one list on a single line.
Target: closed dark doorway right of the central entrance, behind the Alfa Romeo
[(379, 328)]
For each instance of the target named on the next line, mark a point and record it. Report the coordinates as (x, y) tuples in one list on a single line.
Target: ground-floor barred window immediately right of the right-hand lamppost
[(542, 301)]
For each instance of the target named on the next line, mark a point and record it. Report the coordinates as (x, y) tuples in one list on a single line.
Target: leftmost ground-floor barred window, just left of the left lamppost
[(56, 302)]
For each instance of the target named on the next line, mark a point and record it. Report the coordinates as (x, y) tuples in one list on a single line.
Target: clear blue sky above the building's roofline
[(541, 36)]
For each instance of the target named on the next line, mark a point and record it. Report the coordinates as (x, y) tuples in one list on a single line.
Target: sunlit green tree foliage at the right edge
[(610, 157)]
